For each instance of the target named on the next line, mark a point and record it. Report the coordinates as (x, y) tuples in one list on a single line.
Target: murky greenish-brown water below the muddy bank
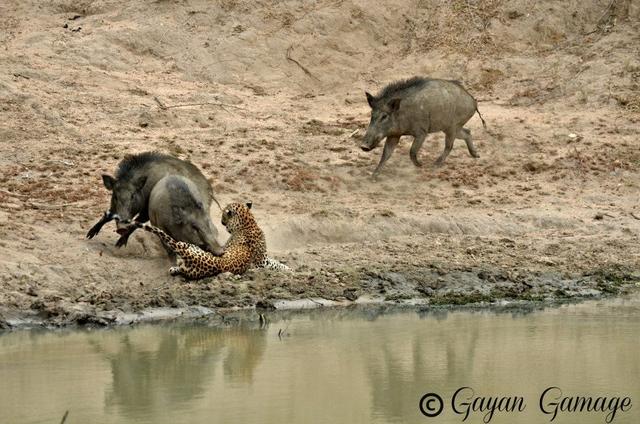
[(336, 366)]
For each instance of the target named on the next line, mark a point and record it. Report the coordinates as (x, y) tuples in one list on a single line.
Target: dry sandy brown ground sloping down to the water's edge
[(266, 98)]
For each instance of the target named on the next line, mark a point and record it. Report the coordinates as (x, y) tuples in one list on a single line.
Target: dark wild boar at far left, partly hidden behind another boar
[(131, 187)]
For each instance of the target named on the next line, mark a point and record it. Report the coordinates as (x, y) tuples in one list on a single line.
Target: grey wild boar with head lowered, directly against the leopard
[(176, 207)]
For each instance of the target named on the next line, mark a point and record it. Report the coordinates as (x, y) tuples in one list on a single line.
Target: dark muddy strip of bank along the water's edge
[(230, 295)]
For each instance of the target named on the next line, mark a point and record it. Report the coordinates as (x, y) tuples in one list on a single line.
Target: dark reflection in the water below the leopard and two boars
[(168, 368)]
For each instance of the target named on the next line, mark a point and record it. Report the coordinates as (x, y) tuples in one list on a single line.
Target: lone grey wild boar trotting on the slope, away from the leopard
[(417, 107)]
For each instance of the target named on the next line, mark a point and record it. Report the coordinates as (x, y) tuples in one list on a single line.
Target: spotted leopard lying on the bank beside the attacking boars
[(246, 248)]
